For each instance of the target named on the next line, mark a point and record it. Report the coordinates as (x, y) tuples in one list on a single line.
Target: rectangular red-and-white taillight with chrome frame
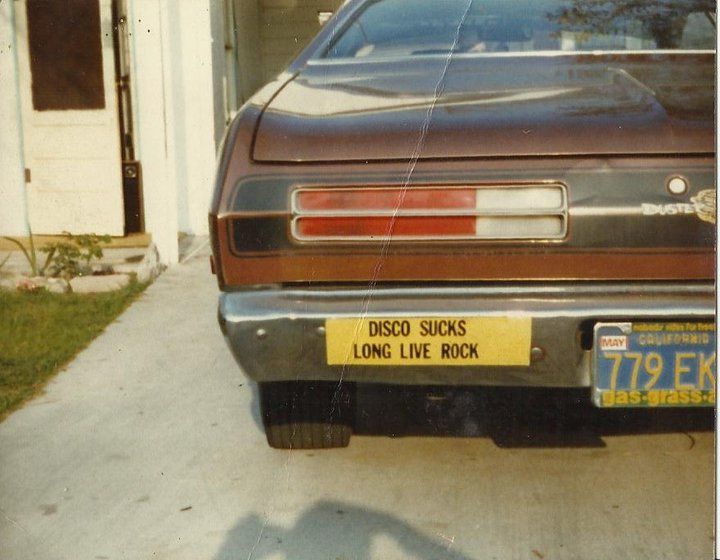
[(430, 213)]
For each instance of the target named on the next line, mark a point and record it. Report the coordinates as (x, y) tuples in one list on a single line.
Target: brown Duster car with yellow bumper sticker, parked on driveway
[(463, 193)]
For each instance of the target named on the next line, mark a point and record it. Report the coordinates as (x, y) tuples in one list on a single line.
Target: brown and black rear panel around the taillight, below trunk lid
[(616, 231)]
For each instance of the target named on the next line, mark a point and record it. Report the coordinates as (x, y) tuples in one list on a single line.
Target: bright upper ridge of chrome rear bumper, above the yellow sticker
[(562, 299)]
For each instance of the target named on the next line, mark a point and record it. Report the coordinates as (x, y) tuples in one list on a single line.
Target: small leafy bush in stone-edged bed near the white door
[(72, 257)]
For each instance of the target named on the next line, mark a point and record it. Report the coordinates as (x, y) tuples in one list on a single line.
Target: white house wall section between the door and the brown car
[(178, 113)]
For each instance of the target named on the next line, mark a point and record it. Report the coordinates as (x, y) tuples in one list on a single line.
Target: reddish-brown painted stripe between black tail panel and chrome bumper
[(519, 267)]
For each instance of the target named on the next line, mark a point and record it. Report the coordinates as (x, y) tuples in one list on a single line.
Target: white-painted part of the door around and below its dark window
[(73, 154)]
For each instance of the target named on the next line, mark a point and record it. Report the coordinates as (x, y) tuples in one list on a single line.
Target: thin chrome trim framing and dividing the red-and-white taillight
[(560, 212)]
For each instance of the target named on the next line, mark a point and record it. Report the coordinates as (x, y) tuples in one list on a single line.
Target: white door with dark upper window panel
[(70, 116)]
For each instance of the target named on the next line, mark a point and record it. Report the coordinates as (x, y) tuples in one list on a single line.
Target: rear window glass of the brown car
[(403, 28)]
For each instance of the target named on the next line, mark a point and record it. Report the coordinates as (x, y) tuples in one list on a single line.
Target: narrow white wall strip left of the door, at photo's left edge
[(13, 213)]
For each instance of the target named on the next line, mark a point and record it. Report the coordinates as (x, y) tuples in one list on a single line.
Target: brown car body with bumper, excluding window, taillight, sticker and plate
[(612, 129)]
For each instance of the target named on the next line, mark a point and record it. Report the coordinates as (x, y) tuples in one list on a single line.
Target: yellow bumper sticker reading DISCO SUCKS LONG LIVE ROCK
[(429, 341)]
